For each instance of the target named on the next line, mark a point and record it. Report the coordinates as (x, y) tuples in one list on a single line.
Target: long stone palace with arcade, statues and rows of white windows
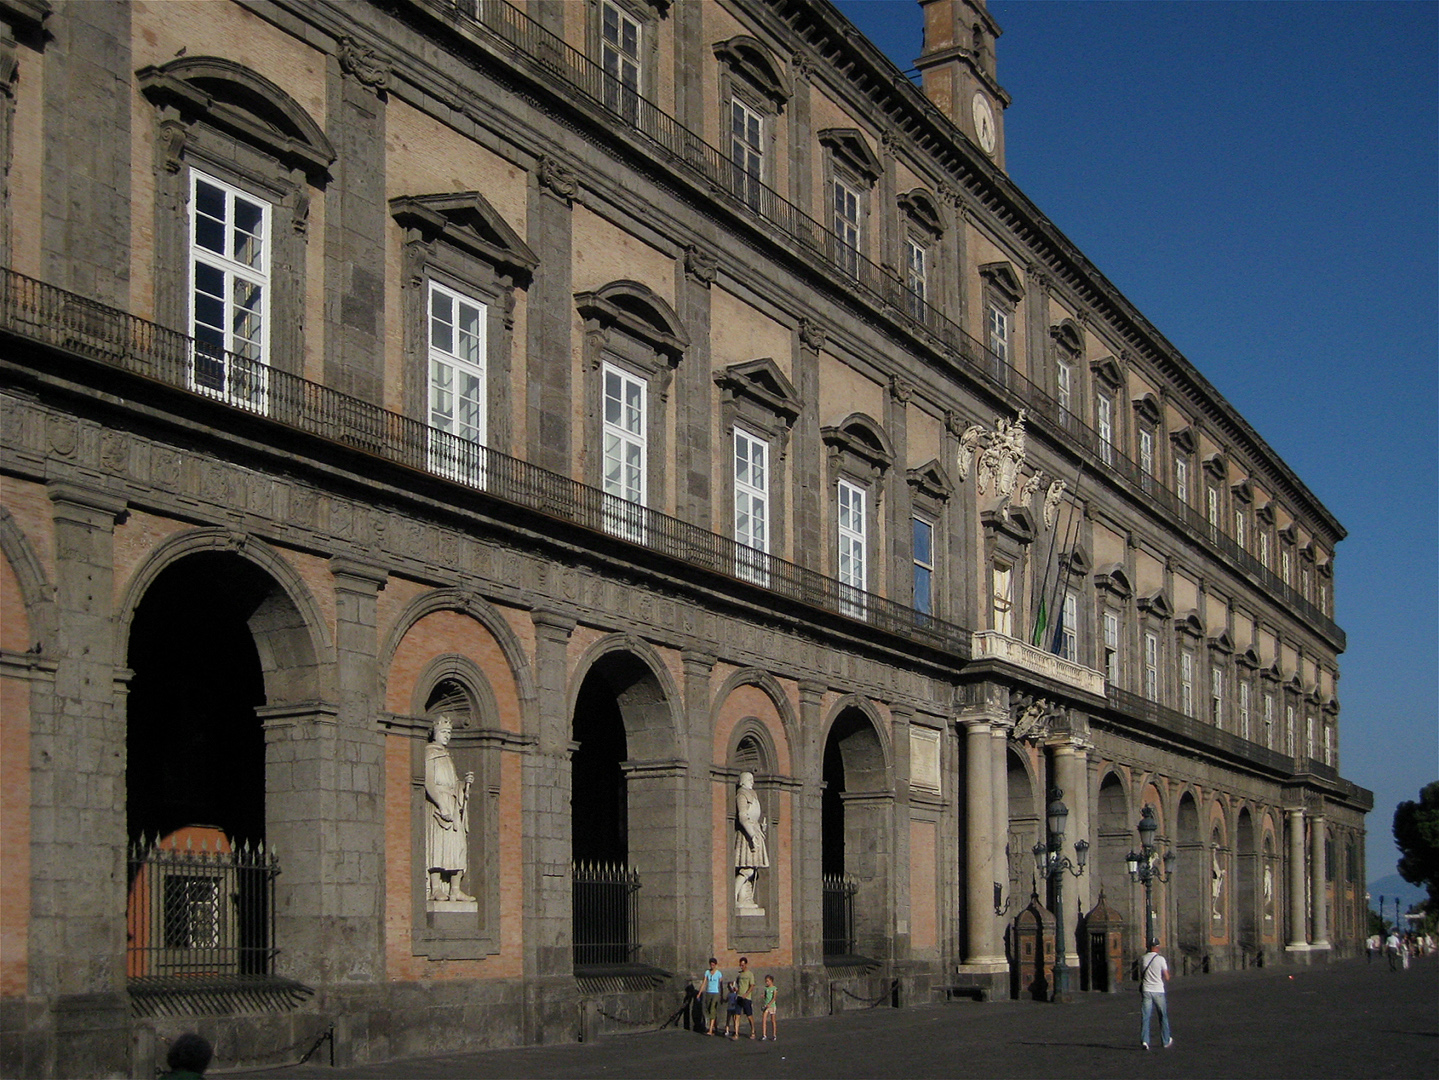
[(660, 393)]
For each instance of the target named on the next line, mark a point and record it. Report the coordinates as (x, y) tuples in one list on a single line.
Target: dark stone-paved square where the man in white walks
[(1342, 1020)]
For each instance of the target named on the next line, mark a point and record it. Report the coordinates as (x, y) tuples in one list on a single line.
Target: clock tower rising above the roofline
[(958, 68)]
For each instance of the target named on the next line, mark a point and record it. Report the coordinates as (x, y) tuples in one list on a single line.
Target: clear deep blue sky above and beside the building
[(1263, 182)]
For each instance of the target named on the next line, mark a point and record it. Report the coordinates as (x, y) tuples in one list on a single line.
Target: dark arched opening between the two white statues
[(624, 816)]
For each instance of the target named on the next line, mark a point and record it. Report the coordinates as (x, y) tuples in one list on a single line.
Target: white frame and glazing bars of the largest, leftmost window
[(241, 373)]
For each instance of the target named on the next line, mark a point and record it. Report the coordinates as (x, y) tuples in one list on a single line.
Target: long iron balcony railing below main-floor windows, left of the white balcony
[(71, 323)]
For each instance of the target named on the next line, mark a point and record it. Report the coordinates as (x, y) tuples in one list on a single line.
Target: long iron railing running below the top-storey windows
[(552, 60)]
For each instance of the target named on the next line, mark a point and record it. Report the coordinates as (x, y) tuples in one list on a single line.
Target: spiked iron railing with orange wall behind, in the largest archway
[(199, 914)]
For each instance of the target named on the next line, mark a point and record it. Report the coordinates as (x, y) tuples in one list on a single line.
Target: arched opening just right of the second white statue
[(855, 836)]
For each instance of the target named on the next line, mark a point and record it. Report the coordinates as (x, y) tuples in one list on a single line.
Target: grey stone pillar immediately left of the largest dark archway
[(78, 802)]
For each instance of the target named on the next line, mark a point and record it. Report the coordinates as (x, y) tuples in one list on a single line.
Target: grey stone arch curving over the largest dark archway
[(291, 632)]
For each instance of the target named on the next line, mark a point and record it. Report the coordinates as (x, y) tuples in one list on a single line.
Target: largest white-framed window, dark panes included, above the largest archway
[(230, 293)]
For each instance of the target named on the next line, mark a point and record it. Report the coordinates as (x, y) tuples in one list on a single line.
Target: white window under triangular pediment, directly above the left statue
[(457, 380)]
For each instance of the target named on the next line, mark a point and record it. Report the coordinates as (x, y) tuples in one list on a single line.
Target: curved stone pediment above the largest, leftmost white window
[(234, 99)]
